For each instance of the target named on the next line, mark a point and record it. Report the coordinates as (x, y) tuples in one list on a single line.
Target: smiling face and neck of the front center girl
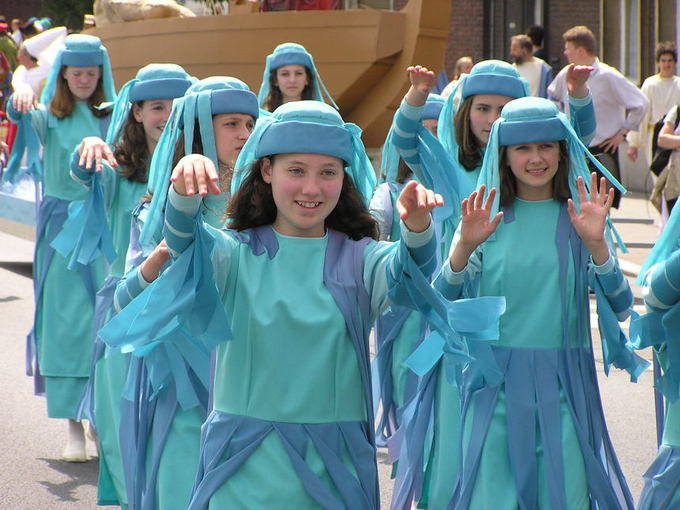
[(306, 188)]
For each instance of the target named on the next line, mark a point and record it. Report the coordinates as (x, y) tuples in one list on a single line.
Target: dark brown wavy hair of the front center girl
[(253, 206)]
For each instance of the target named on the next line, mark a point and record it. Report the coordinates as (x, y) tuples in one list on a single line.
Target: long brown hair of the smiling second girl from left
[(132, 152)]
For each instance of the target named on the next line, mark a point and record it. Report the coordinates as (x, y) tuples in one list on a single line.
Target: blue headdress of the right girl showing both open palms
[(535, 120)]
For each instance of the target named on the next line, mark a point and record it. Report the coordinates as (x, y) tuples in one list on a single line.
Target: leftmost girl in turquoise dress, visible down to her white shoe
[(60, 344)]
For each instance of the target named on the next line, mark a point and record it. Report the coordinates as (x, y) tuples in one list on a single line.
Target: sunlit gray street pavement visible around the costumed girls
[(33, 477)]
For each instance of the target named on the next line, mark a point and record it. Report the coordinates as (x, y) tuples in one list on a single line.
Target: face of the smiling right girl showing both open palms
[(534, 166)]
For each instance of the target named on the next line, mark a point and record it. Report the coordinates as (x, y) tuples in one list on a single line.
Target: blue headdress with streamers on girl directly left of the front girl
[(208, 97)]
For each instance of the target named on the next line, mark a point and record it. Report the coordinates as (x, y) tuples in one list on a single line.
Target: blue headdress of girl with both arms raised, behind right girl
[(486, 77)]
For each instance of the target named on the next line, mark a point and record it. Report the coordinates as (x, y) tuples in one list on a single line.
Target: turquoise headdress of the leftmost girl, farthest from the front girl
[(80, 51)]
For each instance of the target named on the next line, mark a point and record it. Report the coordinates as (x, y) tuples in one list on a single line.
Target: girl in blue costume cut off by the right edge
[(660, 328)]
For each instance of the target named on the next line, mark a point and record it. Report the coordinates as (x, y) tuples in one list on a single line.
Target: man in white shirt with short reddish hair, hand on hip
[(619, 105)]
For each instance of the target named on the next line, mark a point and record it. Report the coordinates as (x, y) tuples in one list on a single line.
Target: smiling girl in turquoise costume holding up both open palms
[(533, 430)]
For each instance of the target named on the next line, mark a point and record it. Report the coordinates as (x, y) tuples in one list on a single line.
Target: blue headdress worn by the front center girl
[(308, 127)]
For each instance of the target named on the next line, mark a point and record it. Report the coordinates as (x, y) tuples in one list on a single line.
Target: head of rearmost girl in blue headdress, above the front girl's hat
[(290, 74)]
